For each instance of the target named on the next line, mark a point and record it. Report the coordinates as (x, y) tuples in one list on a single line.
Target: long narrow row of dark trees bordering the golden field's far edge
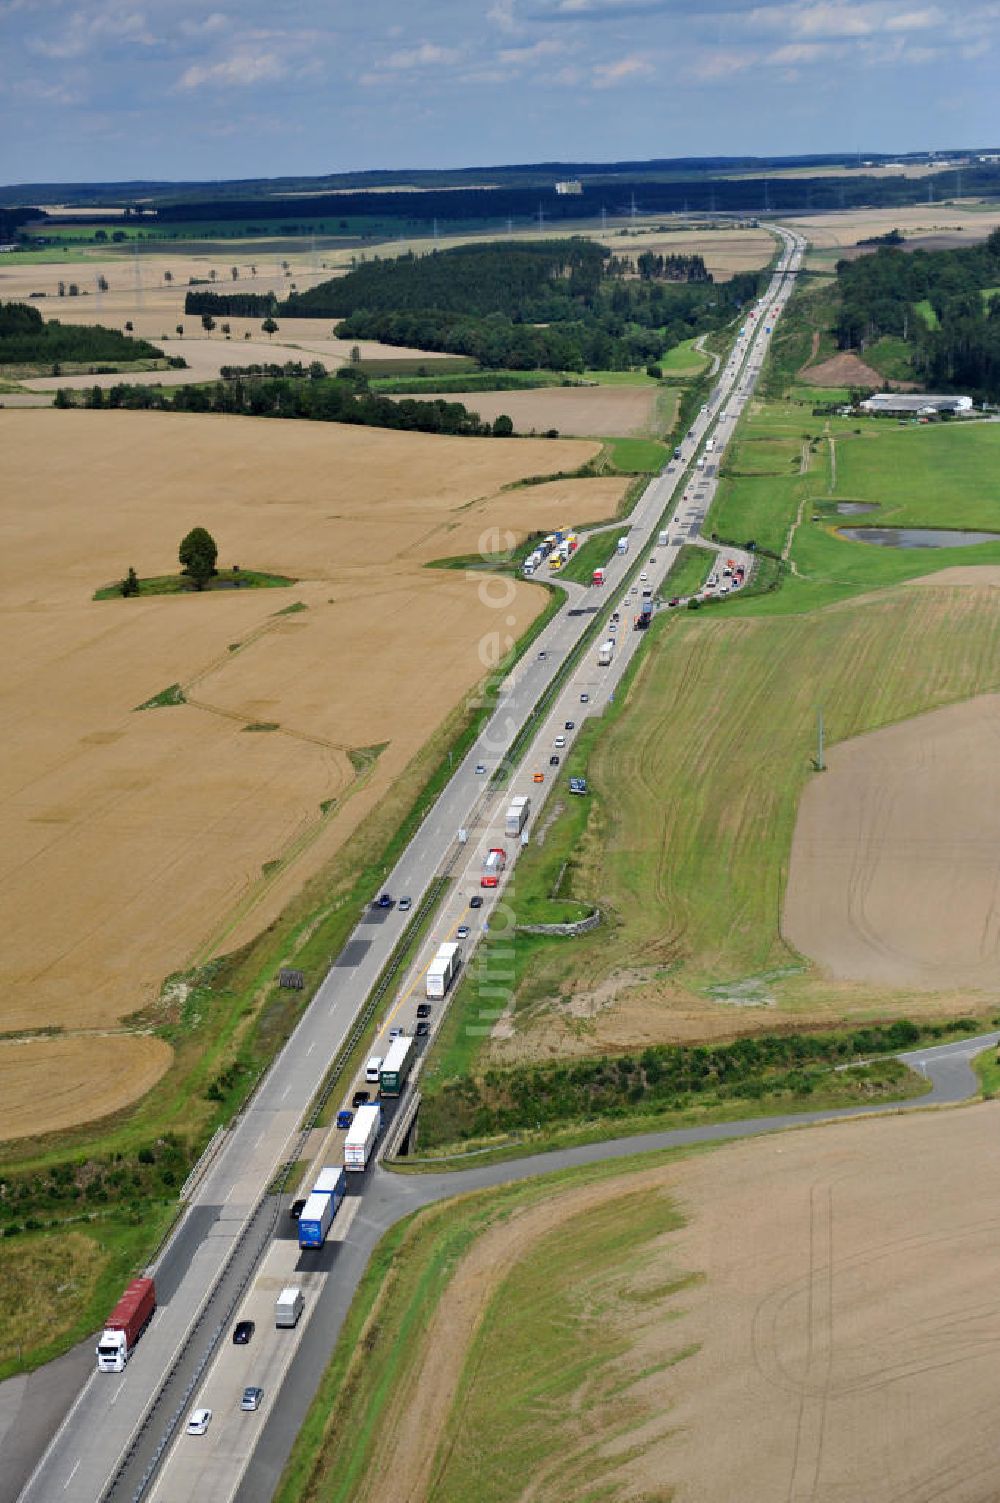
[(323, 401)]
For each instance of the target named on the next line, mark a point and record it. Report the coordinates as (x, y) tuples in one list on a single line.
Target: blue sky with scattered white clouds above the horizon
[(124, 89)]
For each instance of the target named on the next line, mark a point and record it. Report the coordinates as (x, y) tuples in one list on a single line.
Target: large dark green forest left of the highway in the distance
[(548, 304)]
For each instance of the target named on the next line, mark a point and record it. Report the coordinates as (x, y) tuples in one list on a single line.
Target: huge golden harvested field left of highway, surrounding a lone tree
[(135, 842)]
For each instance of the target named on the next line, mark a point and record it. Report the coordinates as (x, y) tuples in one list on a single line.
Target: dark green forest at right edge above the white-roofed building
[(941, 303)]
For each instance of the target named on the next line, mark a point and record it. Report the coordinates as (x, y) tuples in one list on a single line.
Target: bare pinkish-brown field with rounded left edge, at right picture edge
[(895, 862)]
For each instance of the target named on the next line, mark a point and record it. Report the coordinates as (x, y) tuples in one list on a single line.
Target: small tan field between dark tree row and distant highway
[(581, 411)]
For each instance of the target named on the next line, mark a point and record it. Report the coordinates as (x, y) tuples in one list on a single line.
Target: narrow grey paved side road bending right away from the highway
[(390, 1197)]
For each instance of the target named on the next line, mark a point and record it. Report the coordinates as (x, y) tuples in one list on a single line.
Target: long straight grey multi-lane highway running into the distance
[(234, 1250)]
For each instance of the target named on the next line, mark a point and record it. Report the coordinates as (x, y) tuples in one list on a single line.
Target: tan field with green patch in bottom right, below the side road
[(819, 1326)]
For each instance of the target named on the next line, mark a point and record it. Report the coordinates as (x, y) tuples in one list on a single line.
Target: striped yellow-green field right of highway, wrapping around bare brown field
[(695, 787)]
